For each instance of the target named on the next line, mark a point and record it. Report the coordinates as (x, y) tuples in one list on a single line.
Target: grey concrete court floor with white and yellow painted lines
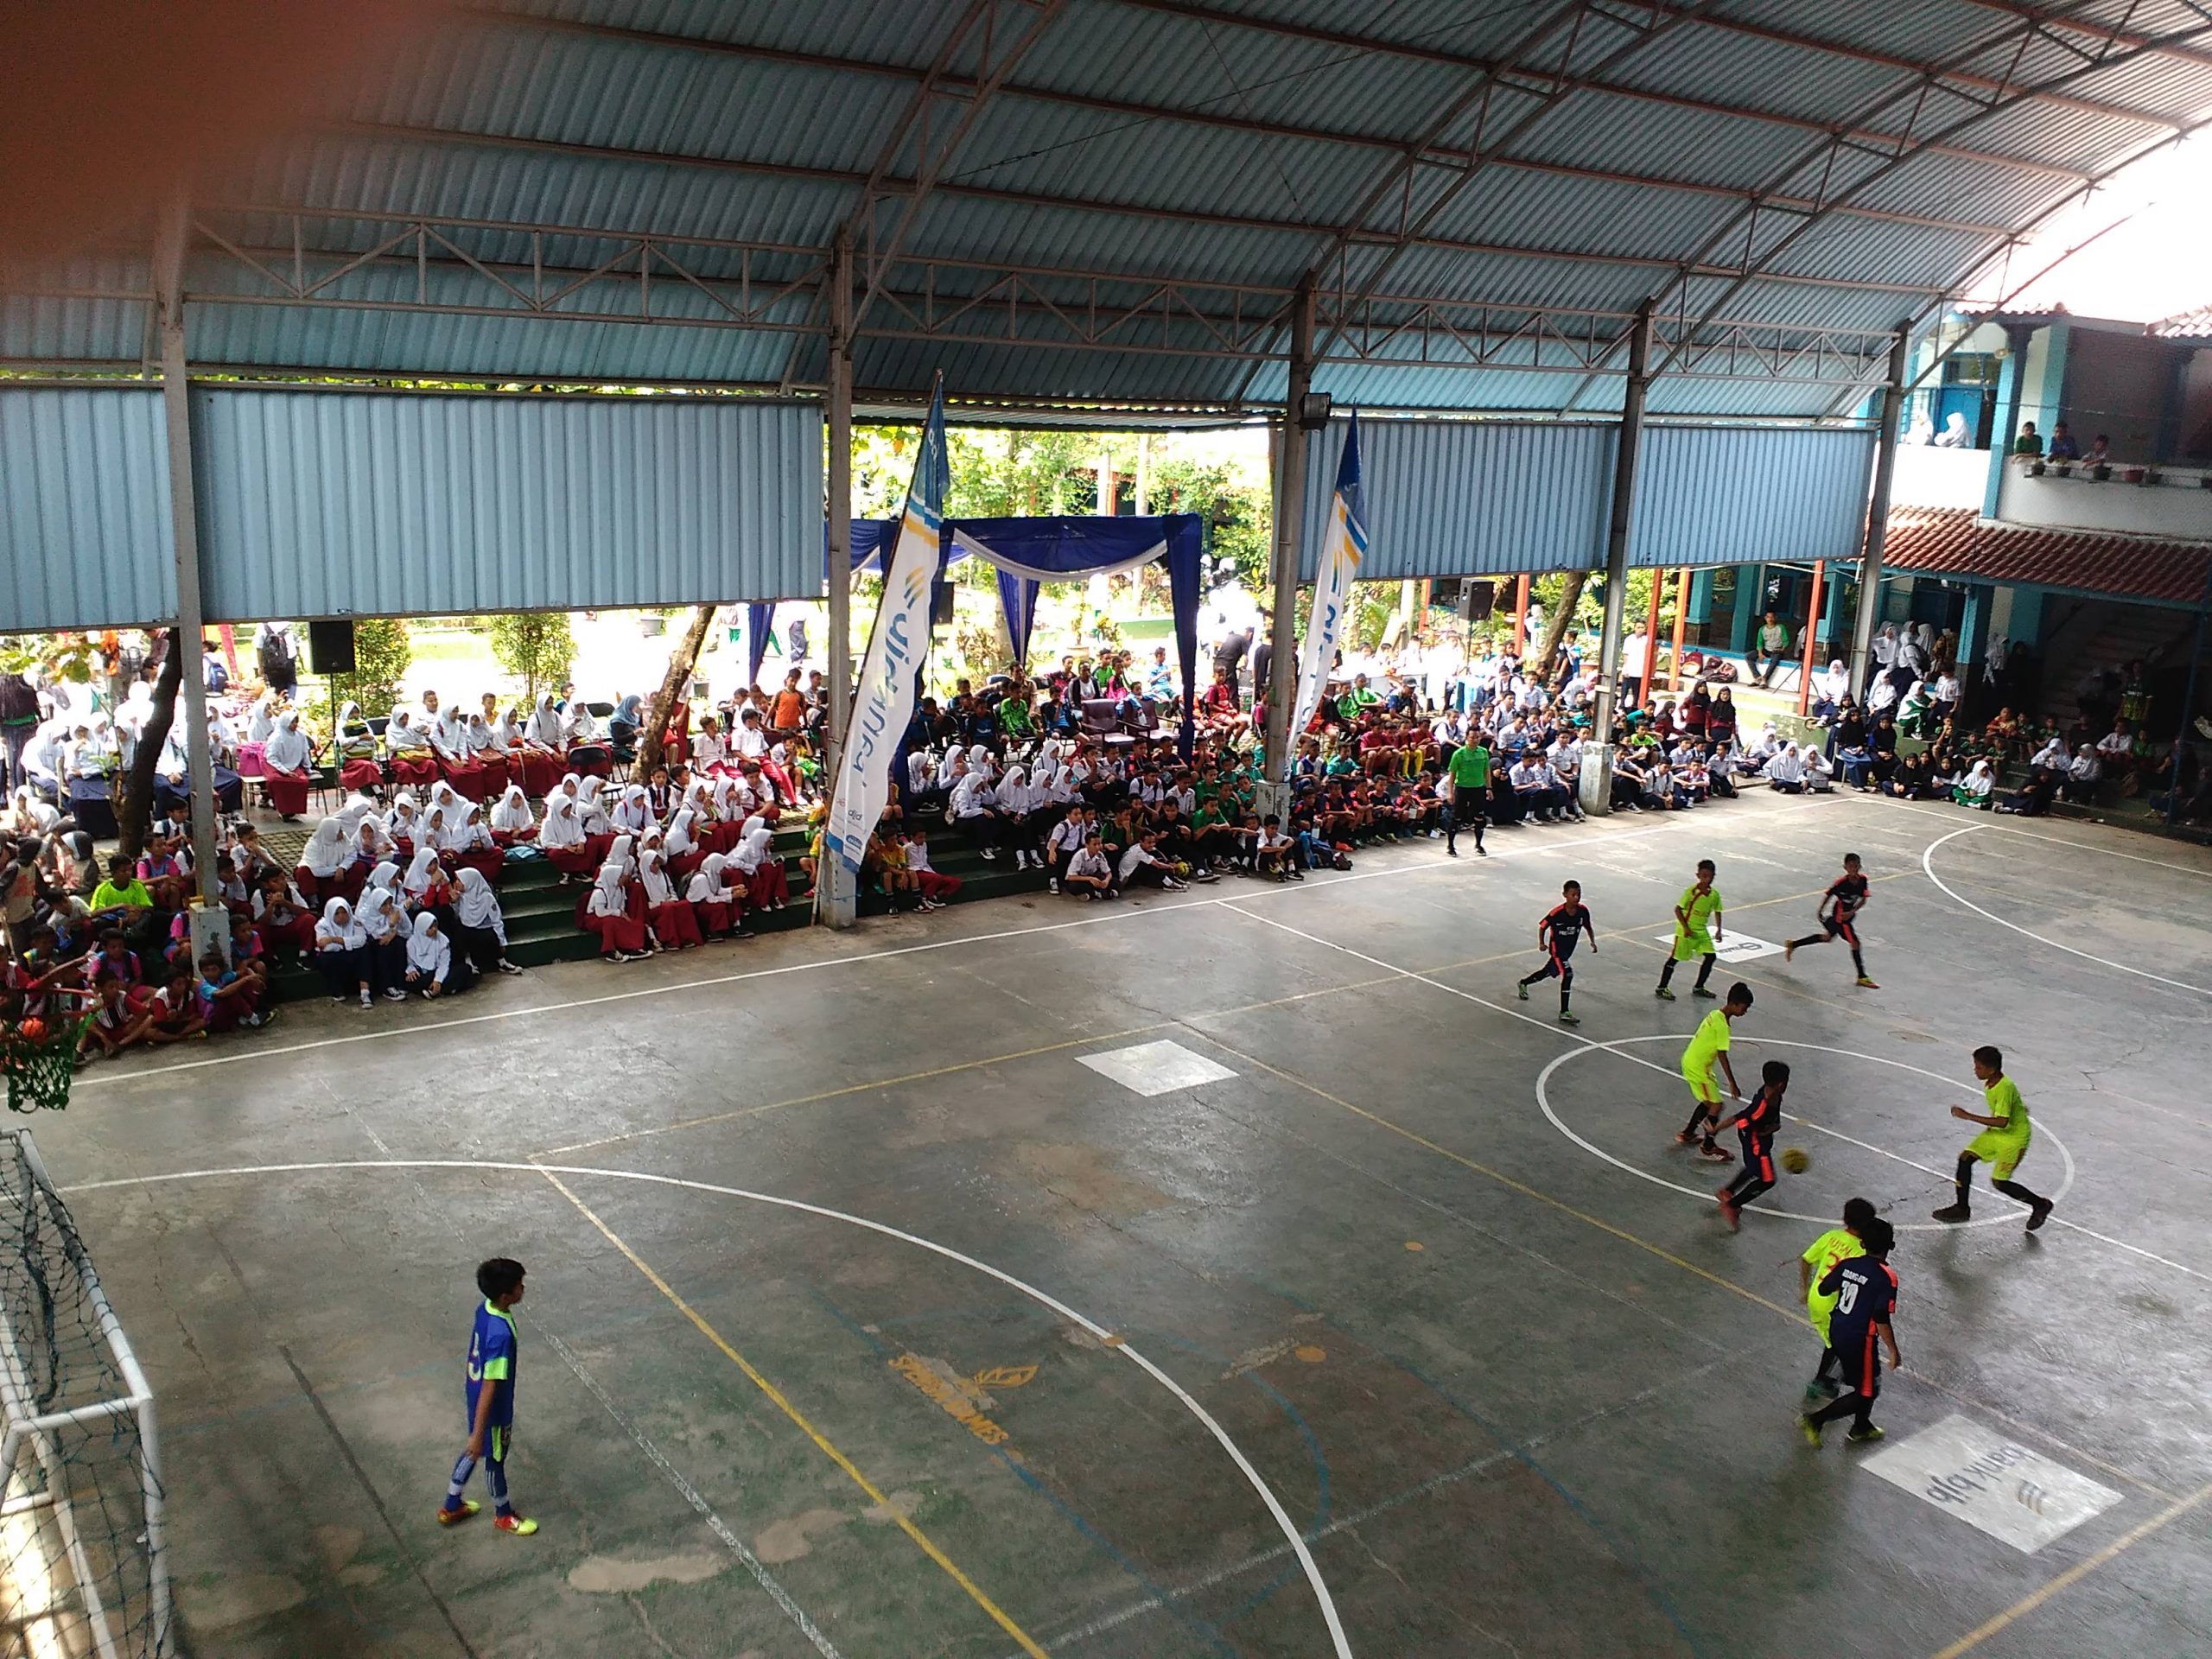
[(1519, 1399)]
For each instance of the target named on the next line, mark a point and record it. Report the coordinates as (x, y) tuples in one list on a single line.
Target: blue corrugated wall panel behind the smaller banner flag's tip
[(1470, 497)]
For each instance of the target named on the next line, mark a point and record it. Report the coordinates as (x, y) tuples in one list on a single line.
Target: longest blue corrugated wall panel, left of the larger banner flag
[(342, 503)]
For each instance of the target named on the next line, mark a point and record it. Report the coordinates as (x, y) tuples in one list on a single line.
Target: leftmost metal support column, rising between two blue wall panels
[(211, 928)]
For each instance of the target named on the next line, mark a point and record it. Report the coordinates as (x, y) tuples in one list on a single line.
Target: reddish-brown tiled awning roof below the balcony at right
[(1957, 541)]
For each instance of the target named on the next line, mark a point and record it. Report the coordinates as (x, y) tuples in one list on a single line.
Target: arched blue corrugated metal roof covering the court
[(1154, 138)]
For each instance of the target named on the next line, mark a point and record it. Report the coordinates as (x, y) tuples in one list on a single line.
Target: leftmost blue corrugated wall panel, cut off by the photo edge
[(85, 510)]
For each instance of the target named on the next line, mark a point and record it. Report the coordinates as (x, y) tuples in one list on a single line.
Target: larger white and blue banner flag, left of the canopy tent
[(890, 676)]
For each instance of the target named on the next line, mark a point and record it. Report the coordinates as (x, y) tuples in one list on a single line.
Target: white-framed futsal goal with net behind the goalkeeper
[(83, 1567)]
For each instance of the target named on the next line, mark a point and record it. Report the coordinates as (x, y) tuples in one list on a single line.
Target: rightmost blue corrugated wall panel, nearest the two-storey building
[(1742, 494)]
